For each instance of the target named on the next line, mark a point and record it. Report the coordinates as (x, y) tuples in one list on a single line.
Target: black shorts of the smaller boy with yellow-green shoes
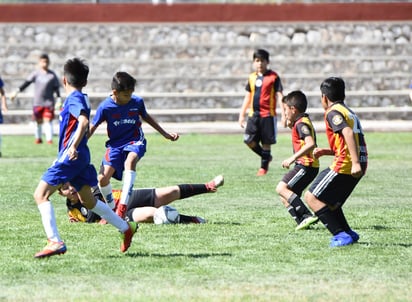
[(299, 178)]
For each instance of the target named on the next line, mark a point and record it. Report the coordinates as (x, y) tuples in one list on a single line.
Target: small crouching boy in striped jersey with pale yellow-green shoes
[(306, 167)]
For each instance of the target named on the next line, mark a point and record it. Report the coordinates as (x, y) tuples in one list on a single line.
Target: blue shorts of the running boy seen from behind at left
[(78, 172)]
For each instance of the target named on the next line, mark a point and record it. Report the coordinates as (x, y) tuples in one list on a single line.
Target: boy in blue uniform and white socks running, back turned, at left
[(73, 164)]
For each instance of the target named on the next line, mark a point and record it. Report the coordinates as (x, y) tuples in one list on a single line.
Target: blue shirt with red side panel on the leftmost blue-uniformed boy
[(75, 104)]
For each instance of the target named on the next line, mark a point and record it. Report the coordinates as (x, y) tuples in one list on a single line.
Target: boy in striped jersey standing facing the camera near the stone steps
[(263, 91)]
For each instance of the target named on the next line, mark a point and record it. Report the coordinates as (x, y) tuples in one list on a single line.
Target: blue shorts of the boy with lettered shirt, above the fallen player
[(115, 157)]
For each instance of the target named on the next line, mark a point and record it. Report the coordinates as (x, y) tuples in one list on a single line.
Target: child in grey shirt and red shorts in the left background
[(46, 84)]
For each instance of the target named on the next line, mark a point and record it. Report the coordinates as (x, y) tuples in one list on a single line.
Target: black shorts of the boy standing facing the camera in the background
[(261, 129)]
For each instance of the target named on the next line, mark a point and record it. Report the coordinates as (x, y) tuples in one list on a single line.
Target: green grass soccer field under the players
[(248, 250)]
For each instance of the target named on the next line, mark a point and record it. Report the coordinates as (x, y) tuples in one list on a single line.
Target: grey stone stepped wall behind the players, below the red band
[(200, 59)]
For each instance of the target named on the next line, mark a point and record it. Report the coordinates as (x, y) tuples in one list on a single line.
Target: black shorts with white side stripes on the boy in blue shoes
[(333, 188)]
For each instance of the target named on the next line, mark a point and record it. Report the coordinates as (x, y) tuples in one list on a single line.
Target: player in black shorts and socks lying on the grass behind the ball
[(143, 202)]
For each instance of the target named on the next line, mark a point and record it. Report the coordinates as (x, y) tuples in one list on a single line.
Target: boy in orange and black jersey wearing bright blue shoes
[(331, 188)]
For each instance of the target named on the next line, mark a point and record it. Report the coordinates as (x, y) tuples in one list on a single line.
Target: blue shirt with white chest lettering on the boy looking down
[(123, 121)]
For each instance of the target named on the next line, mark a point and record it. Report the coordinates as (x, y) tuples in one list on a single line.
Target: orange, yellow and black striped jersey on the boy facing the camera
[(263, 90)]
